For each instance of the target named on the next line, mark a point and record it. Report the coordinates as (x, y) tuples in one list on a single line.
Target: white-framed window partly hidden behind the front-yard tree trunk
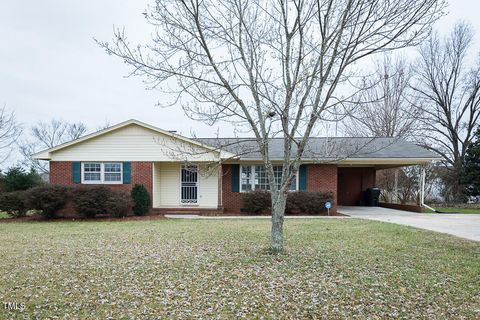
[(255, 178)]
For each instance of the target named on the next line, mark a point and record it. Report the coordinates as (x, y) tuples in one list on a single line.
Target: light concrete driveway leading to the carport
[(461, 225)]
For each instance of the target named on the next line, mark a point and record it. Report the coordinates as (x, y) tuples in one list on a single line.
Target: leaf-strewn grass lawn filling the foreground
[(340, 268)]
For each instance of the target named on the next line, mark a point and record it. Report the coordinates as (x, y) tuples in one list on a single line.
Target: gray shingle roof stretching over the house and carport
[(319, 148)]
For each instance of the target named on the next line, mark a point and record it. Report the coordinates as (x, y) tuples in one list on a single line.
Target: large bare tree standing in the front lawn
[(274, 67)]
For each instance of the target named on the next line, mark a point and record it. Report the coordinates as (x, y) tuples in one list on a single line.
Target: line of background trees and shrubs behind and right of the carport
[(433, 101)]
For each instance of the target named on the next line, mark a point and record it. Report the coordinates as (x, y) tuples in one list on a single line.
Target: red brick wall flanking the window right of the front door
[(319, 178)]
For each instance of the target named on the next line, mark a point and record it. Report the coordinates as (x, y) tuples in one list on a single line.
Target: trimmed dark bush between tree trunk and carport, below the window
[(303, 202)]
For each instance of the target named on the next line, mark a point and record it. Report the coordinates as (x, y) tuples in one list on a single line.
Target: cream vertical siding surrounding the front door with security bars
[(166, 186)]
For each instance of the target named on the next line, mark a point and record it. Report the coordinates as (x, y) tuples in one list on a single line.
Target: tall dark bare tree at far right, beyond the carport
[(449, 92)]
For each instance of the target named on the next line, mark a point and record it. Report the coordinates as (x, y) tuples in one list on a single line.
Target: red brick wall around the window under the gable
[(61, 173)]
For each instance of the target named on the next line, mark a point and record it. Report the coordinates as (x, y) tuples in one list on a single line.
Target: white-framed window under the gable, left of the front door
[(99, 172)]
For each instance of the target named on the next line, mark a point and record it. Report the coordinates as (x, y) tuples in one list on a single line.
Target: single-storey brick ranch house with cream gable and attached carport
[(184, 175)]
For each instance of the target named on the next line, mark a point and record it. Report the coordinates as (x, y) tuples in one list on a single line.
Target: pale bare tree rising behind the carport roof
[(384, 108)]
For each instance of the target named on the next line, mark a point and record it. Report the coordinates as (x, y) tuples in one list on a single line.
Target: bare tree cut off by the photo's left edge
[(10, 130)]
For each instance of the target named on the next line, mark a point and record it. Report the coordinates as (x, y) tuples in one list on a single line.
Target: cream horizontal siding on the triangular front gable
[(134, 143)]
